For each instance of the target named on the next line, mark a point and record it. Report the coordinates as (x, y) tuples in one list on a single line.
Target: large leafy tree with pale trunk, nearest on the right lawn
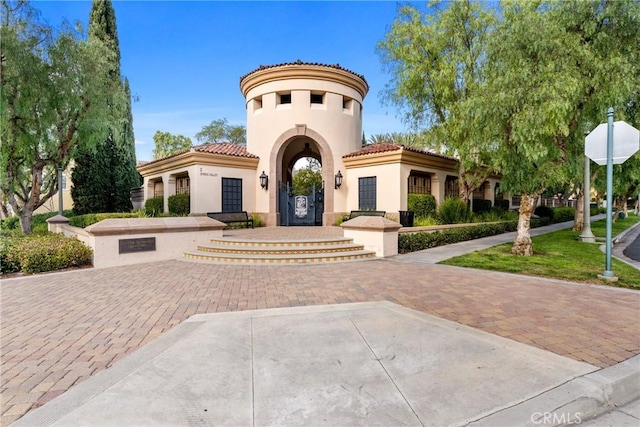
[(554, 69)]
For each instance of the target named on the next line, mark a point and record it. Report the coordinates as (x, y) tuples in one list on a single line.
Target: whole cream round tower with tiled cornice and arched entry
[(297, 110)]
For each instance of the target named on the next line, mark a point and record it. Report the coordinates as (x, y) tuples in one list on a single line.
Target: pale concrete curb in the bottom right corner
[(577, 400)]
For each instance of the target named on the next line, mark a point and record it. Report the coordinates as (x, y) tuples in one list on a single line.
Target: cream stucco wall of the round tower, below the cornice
[(340, 130)]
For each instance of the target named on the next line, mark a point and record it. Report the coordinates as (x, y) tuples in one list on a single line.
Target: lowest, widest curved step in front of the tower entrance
[(274, 259)]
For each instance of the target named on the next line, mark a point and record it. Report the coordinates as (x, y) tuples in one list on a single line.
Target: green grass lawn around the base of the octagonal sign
[(559, 255)]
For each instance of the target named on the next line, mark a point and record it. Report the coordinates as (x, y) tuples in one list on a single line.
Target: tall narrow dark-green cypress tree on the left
[(104, 175)]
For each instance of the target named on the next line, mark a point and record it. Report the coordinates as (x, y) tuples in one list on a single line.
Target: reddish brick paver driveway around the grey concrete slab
[(59, 329)]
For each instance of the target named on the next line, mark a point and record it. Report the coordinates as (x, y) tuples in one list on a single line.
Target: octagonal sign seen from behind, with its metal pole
[(627, 142)]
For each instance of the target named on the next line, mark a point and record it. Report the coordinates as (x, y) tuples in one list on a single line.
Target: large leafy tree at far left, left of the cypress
[(52, 90)]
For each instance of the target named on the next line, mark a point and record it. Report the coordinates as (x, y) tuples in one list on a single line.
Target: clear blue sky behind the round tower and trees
[(184, 59)]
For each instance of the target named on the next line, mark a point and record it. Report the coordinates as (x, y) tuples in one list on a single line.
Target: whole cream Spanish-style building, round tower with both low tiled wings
[(297, 110)]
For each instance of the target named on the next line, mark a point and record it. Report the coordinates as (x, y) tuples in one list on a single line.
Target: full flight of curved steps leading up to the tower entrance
[(307, 251)]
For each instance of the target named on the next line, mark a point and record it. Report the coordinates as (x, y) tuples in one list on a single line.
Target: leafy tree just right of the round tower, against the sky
[(437, 60)]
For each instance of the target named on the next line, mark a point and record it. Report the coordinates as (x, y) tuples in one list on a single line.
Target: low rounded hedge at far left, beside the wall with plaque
[(40, 253)]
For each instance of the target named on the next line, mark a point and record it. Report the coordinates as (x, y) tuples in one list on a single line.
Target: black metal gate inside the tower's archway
[(301, 209)]
